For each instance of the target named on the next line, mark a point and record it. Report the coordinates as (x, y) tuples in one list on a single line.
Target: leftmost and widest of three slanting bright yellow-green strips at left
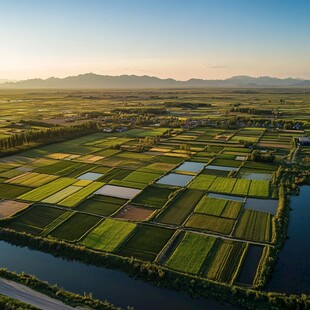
[(46, 190)]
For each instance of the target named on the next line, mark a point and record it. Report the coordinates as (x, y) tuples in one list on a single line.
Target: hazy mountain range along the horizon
[(95, 81)]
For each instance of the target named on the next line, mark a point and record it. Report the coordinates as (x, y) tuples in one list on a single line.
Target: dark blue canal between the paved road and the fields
[(104, 283)]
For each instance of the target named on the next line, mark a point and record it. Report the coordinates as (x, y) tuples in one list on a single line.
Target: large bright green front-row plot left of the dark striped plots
[(191, 253)]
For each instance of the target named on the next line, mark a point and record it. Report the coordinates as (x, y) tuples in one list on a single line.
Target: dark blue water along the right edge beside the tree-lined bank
[(292, 274)]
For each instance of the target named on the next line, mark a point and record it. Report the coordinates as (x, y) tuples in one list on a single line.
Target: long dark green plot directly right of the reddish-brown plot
[(180, 207)]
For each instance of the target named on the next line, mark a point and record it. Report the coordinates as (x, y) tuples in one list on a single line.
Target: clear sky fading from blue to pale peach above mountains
[(181, 39)]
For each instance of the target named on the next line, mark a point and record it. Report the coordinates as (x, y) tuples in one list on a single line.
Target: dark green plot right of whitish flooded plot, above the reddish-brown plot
[(154, 196)]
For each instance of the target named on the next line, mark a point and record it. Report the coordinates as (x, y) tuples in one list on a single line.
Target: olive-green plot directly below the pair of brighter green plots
[(211, 223)]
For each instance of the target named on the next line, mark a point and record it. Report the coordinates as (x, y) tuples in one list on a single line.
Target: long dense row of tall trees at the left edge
[(47, 136)]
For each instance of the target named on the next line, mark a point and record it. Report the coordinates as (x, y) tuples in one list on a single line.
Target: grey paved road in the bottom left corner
[(30, 296)]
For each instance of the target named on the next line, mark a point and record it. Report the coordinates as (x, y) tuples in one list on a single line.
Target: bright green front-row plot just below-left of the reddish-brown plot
[(109, 235)]
